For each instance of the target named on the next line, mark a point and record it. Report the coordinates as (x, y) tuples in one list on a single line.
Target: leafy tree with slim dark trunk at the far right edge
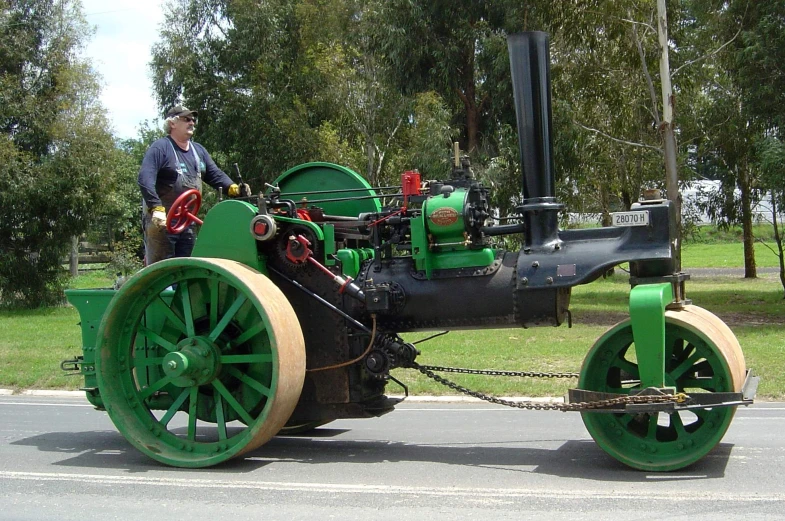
[(742, 42)]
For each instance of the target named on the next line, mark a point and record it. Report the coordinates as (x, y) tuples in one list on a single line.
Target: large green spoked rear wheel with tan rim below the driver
[(202, 373)]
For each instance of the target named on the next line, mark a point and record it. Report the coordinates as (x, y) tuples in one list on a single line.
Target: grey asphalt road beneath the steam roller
[(60, 459)]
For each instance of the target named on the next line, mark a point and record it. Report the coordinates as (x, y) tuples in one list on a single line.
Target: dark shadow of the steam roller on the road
[(576, 459)]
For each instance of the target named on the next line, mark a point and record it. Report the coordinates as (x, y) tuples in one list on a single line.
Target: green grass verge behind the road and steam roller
[(33, 343)]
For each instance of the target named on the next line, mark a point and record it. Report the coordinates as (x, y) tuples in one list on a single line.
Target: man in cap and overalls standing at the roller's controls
[(172, 165)]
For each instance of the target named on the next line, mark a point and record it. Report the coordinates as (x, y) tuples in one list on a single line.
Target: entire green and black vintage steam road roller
[(288, 314)]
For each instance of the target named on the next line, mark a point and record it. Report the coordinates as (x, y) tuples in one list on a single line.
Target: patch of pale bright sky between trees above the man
[(120, 52)]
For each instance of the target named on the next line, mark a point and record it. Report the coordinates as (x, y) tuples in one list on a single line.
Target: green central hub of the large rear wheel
[(195, 362)]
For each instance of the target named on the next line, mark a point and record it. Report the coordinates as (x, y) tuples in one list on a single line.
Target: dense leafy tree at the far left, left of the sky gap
[(54, 146)]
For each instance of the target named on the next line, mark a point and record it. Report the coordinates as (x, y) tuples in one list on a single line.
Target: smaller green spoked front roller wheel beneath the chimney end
[(701, 355)]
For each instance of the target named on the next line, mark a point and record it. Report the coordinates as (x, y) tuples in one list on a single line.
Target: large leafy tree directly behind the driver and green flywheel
[(285, 82)]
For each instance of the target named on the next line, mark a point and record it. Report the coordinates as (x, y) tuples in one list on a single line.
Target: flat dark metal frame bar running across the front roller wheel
[(692, 401)]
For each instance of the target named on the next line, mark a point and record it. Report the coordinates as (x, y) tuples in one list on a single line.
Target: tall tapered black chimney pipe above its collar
[(531, 85)]
